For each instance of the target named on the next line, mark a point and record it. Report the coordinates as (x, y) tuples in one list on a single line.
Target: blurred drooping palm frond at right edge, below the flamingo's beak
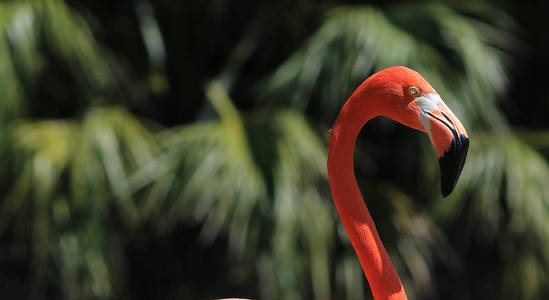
[(505, 198)]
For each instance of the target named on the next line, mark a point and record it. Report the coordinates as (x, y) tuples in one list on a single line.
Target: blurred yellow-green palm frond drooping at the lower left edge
[(50, 156)]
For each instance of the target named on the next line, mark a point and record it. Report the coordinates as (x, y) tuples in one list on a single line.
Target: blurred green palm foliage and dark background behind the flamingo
[(165, 149)]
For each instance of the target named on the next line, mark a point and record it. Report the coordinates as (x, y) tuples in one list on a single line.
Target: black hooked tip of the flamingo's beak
[(451, 164)]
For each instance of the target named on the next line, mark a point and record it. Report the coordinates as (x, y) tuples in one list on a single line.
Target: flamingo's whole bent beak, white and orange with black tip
[(447, 135)]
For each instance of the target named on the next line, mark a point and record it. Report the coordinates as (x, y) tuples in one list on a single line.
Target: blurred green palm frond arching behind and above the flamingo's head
[(354, 42)]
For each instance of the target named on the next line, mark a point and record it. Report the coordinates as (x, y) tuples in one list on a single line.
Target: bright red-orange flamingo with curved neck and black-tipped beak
[(403, 95)]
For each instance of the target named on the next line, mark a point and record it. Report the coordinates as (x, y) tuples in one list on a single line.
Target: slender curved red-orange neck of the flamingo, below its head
[(358, 223)]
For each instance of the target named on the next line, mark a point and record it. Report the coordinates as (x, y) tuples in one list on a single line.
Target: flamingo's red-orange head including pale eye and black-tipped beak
[(405, 96)]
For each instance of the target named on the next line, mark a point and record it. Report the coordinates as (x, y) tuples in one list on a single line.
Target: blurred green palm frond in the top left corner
[(66, 33)]
